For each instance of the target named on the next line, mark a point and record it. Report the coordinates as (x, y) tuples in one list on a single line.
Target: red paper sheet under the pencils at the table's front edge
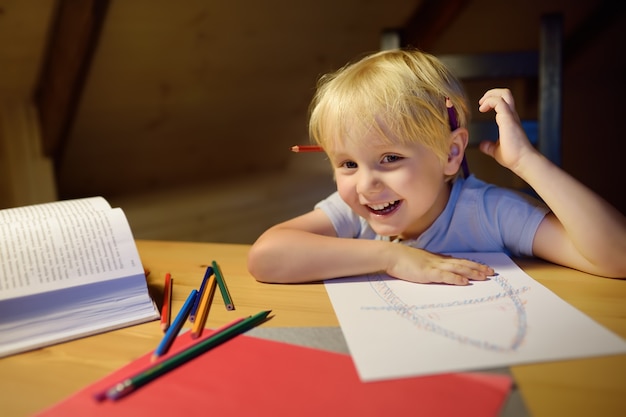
[(247, 376)]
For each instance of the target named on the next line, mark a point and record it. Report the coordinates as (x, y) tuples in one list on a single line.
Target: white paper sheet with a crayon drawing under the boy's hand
[(399, 329)]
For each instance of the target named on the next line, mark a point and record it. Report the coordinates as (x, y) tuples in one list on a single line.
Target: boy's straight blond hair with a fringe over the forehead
[(399, 93)]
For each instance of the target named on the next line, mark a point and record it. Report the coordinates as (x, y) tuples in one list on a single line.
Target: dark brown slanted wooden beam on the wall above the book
[(73, 39)]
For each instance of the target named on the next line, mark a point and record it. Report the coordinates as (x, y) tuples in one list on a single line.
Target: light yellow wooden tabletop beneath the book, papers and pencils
[(34, 380)]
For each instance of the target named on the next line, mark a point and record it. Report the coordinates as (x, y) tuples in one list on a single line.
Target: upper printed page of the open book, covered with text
[(58, 245)]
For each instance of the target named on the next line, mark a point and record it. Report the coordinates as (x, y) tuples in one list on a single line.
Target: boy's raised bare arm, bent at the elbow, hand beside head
[(583, 231)]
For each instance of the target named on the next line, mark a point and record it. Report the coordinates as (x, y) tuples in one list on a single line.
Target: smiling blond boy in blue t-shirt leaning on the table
[(384, 123)]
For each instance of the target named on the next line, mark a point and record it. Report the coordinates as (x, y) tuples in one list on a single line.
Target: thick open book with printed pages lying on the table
[(68, 269)]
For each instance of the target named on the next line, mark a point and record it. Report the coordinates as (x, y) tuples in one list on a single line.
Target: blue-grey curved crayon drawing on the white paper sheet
[(430, 317)]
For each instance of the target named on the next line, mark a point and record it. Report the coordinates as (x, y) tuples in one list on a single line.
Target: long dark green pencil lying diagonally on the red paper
[(142, 378)]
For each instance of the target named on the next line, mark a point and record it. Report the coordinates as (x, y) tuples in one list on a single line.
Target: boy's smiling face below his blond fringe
[(400, 189)]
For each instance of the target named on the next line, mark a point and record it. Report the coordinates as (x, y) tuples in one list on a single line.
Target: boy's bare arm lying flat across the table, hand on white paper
[(306, 249)]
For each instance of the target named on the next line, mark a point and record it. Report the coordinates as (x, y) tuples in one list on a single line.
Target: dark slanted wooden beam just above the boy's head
[(429, 21)]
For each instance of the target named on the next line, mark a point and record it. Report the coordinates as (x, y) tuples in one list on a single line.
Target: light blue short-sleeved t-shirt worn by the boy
[(479, 217)]
